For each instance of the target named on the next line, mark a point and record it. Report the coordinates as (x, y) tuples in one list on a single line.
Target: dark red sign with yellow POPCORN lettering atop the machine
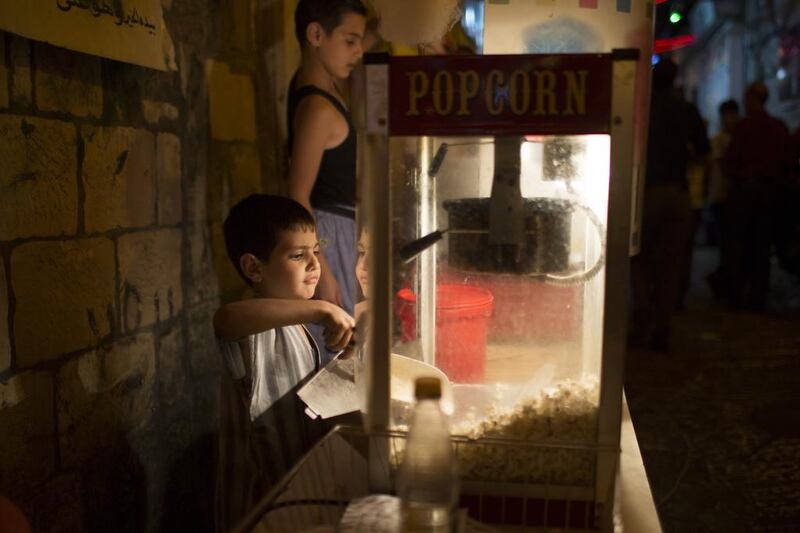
[(500, 94)]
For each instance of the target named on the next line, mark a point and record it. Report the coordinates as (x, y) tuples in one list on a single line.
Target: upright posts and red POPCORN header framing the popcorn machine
[(422, 98)]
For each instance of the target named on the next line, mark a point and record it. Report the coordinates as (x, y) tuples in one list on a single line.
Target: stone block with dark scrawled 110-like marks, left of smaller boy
[(150, 277)]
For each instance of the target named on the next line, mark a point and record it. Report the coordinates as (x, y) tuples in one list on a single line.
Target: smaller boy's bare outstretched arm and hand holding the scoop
[(239, 319)]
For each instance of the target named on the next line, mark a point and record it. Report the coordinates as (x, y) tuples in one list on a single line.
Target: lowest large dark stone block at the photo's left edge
[(27, 446)]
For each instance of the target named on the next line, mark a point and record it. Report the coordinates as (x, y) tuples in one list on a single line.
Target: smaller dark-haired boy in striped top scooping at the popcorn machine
[(267, 354)]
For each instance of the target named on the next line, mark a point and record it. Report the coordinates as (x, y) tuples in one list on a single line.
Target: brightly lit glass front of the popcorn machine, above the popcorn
[(510, 300)]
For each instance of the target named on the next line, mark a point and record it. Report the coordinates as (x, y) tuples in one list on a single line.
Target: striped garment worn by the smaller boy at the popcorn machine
[(263, 428)]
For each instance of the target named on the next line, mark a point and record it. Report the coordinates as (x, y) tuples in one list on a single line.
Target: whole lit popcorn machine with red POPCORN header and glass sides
[(496, 202)]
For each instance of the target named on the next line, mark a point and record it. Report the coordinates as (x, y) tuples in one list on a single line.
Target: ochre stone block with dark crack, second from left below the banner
[(119, 172)]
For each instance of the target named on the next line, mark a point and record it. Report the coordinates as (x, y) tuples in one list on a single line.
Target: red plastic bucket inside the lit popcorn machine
[(462, 319)]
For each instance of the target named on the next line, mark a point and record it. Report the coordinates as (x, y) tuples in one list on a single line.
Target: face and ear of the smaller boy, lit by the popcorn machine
[(292, 271)]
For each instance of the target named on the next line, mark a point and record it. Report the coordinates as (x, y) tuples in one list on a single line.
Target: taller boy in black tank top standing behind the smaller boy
[(322, 139)]
